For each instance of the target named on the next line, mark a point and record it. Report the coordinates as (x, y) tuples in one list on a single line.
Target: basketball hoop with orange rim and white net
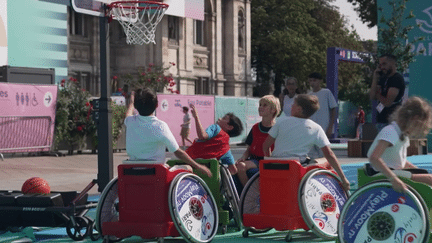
[(138, 19)]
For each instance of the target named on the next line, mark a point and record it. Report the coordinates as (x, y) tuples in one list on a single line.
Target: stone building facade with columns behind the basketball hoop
[(211, 56)]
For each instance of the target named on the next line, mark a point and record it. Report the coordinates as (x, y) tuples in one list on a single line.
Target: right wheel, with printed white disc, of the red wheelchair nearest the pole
[(193, 208)]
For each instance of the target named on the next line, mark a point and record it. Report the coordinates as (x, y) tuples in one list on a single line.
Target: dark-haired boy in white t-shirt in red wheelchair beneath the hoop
[(147, 137)]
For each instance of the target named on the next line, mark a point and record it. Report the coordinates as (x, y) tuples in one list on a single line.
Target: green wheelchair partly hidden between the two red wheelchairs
[(223, 190)]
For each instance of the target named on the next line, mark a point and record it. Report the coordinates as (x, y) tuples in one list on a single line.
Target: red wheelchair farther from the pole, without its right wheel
[(279, 198)]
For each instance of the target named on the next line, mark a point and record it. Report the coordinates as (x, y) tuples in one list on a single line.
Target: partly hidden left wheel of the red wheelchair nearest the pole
[(107, 208)]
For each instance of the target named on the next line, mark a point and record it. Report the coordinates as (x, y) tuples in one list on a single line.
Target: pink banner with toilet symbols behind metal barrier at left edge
[(27, 117)]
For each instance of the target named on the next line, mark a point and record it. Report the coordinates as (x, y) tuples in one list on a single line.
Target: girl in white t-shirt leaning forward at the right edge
[(389, 149)]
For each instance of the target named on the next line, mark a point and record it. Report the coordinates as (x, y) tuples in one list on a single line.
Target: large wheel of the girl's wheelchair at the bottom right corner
[(375, 212)]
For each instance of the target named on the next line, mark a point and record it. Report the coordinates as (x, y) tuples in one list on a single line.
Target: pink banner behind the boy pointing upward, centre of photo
[(170, 111)]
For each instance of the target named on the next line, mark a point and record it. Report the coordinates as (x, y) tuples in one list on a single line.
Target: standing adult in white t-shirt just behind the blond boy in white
[(326, 115)]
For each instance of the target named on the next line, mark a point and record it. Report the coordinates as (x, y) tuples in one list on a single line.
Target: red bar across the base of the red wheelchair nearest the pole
[(143, 230)]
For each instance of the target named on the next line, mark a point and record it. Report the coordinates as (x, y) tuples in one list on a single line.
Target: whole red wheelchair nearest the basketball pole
[(153, 201)]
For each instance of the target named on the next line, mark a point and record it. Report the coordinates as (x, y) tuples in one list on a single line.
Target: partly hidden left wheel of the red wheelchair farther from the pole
[(250, 202)]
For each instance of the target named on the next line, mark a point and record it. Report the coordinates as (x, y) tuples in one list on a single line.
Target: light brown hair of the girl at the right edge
[(415, 111)]
